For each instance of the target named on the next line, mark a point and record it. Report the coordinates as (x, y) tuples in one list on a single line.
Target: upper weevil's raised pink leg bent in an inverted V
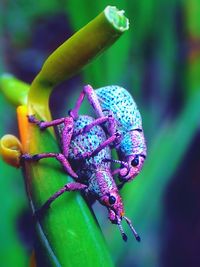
[(92, 98)]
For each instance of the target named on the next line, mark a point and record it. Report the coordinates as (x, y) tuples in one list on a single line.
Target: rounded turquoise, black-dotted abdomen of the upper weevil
[(122, 106)]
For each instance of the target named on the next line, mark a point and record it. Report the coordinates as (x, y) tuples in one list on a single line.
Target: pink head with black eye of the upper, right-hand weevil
[(135, 164)]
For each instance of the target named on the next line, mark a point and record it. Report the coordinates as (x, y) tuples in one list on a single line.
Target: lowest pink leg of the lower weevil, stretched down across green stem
[(66, 188)]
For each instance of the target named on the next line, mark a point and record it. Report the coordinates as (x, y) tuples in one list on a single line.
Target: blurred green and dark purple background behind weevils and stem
[(157, 60)]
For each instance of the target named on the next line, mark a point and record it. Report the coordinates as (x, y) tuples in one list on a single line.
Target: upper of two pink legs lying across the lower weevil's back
[(96, 122)]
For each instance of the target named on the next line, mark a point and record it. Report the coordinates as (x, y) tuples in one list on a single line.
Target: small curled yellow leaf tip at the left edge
[(10, 150)]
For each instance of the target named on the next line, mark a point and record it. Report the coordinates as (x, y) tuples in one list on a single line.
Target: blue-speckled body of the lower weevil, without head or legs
[(93, 171)]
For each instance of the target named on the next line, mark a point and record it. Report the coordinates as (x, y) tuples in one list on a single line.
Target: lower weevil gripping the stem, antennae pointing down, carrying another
[(92, 174)]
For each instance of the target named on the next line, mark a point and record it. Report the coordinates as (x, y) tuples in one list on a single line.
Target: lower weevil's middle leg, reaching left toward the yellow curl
[(60, 157)]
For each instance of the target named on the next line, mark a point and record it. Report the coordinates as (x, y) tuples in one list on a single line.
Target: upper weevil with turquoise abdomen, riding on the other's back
[(119, 104)]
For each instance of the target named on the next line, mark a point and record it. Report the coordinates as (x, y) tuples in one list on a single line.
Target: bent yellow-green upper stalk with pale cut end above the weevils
[(74, 54)]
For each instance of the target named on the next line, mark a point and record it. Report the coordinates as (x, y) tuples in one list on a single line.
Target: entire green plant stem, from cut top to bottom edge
[(68, 233)]
